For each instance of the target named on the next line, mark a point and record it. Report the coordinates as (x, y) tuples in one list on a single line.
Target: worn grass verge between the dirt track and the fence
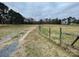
[(35, 45)]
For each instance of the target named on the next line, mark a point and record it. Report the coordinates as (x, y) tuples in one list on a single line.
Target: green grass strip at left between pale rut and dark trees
[(8, 29)]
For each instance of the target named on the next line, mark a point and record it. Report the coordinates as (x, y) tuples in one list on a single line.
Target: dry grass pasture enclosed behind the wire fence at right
[(61, 34)]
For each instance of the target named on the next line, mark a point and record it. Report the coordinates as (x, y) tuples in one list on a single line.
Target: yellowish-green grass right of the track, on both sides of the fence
[(37, 43)]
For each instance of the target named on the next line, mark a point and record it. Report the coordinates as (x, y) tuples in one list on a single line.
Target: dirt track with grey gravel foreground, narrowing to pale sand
[(9, 49)]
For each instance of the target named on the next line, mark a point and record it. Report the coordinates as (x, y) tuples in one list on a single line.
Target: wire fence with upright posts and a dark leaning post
[(59, 36)]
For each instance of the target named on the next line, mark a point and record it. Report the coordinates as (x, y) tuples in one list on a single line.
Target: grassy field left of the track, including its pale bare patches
[(8, 33)]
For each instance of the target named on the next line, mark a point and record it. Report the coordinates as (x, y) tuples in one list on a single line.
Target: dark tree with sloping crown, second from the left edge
[(15, 18)]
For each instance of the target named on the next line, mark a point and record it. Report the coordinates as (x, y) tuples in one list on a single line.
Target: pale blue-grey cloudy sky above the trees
[(39, 10)]
